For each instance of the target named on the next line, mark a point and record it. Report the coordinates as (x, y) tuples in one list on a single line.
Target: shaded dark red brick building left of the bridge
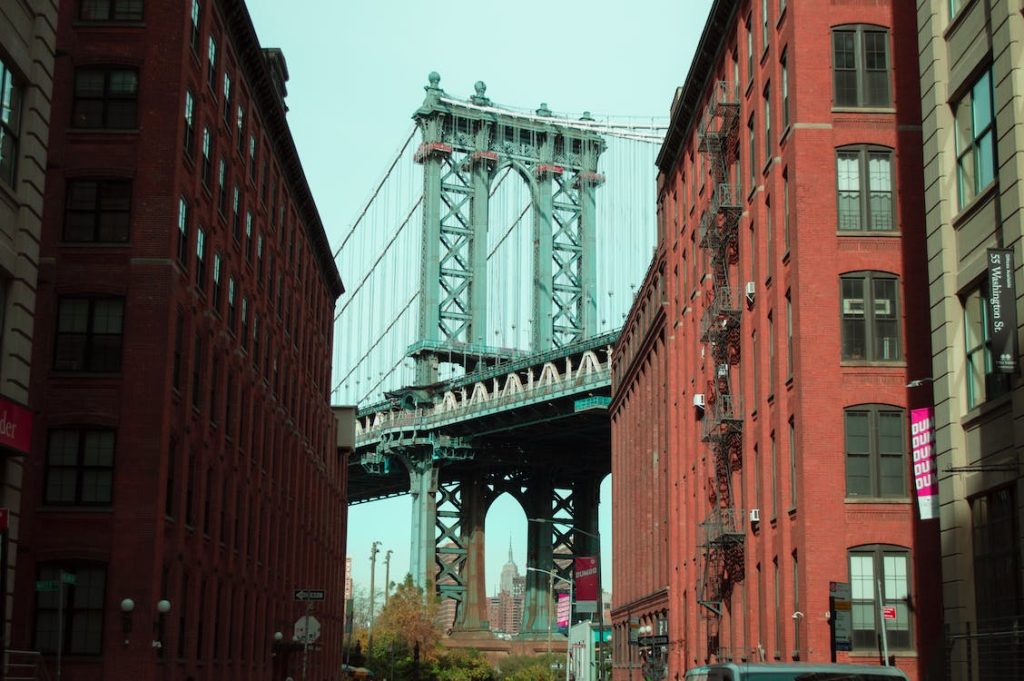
[(184, 453)]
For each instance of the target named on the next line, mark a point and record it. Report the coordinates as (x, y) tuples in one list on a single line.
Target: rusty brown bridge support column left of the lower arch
[(474, 617)]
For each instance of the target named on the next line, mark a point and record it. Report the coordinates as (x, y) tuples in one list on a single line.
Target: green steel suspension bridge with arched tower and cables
[(490, 274)]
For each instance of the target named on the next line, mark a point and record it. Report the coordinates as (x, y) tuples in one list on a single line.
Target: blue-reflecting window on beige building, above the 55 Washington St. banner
[(975, 126)]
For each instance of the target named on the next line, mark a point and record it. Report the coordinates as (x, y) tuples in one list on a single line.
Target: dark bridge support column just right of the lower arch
[(537, 603)]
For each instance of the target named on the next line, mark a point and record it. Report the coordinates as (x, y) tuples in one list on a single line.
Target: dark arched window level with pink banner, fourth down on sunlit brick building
[(876, 451)]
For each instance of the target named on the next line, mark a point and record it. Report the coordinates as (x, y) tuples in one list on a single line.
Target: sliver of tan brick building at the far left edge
[(27, 48)]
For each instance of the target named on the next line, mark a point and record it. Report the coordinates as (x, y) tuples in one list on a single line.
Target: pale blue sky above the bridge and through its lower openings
[(357, 74)]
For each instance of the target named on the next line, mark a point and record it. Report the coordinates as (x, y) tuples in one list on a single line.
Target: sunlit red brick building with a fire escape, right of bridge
[(761, 415)]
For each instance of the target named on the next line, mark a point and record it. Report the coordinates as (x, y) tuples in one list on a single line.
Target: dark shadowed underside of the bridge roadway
[(550, 437)]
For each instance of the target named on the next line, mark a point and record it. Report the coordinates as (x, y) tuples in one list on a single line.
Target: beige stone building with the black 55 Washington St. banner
[(972, 65)]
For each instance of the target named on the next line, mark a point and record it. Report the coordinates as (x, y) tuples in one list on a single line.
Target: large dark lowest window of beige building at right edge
[(997, 545)]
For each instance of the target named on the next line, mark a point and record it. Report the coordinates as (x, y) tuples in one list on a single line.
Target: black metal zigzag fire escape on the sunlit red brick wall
[(721, 534)]
